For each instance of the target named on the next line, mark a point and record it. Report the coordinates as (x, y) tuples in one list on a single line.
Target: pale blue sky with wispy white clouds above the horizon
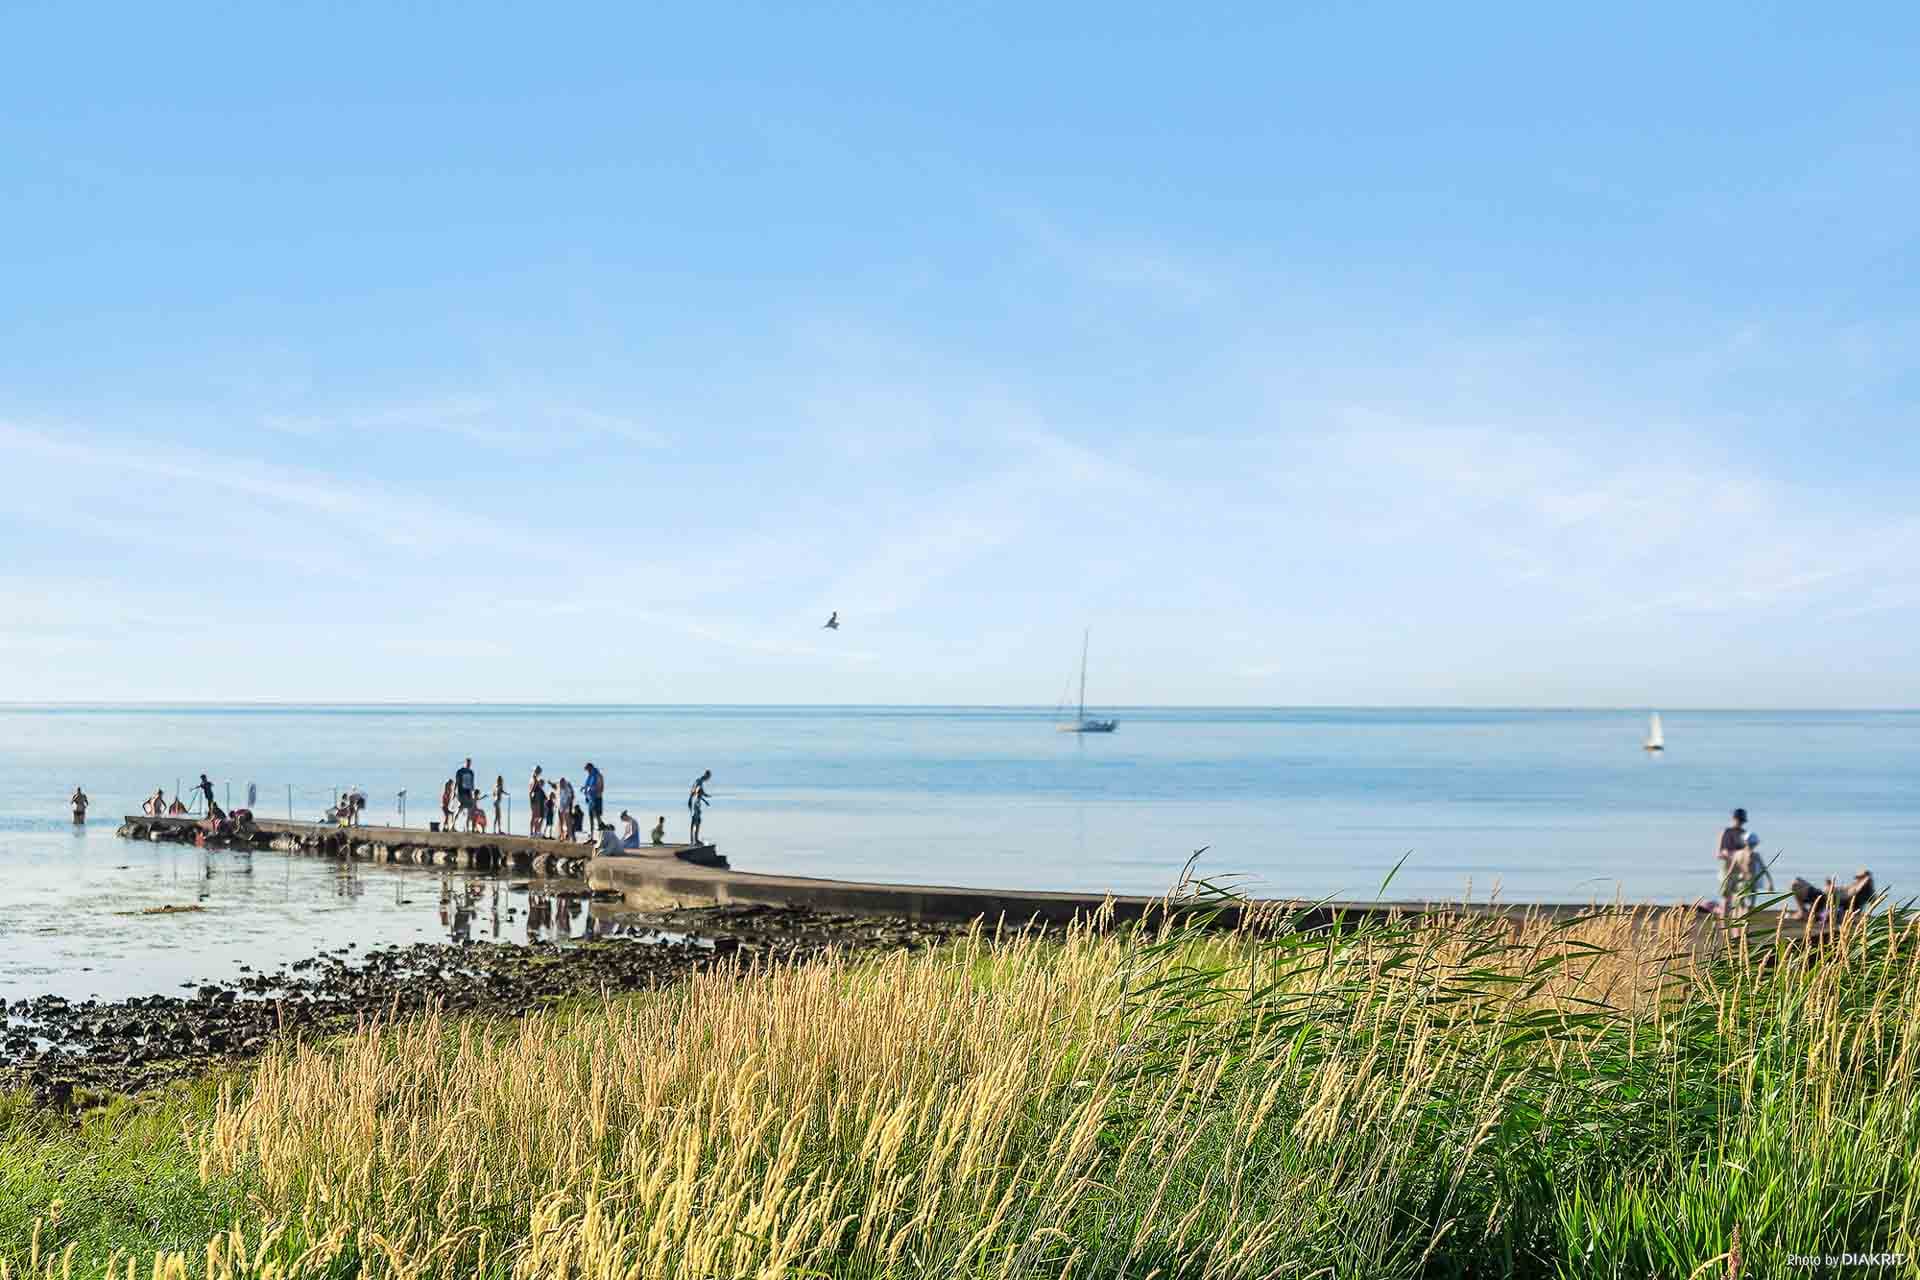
[(1308, 354)]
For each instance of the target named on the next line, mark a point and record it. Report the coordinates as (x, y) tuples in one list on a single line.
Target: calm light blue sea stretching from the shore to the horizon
[(1403, 805)]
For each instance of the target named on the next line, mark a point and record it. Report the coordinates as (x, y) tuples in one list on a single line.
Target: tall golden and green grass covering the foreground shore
[(1426, 1097)]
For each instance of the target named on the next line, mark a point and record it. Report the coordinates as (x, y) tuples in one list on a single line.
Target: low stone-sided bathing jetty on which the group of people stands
[(412, 847)]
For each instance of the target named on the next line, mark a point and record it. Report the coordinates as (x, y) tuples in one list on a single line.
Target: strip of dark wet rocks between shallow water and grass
[(82, 1053)]
